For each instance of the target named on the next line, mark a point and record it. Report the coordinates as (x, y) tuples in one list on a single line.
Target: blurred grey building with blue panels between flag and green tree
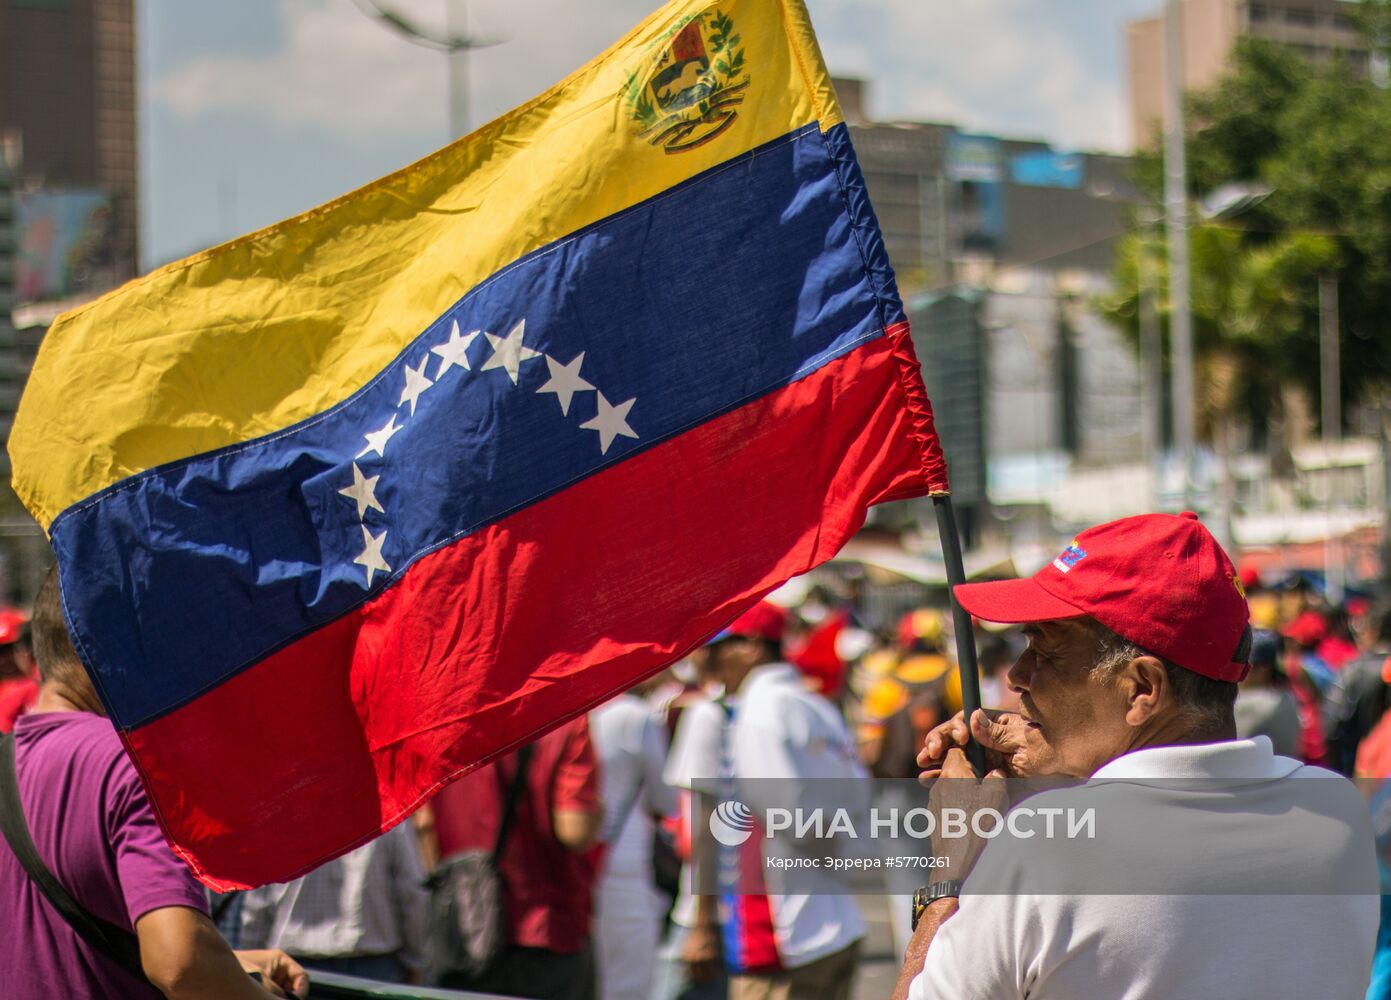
[(1001, 245)]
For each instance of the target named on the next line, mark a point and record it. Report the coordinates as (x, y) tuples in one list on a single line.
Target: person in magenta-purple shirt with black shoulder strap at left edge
[(95, 831)]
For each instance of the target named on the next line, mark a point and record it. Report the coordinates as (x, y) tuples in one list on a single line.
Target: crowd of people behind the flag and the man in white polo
[(567, 869)]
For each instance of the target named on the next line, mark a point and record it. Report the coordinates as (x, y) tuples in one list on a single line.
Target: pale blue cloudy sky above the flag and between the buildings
[(257, 111)]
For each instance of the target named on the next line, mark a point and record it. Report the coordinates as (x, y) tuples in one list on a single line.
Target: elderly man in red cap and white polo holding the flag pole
[(1216, 867)]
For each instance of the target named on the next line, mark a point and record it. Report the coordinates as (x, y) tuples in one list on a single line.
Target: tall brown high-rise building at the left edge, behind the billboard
[(69, 205)]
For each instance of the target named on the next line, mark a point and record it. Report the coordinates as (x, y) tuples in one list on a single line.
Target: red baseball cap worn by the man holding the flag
[(1158, 581)]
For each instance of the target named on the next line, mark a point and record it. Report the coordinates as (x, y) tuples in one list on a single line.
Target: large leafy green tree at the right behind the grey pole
[(1317, 137)]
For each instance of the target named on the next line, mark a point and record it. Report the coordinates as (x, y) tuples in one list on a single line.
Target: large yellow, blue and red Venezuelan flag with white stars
[(353, 504)]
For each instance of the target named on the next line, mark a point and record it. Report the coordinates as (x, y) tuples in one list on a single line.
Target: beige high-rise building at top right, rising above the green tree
[(1319, 30)]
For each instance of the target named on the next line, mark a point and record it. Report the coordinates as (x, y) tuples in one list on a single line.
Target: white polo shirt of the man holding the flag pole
[(1180, 942)]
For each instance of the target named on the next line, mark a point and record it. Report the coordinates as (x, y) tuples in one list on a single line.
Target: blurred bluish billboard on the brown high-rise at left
[(66, 243)]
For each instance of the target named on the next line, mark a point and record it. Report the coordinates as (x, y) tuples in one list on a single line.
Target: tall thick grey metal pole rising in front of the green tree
[(1176, 204)]
